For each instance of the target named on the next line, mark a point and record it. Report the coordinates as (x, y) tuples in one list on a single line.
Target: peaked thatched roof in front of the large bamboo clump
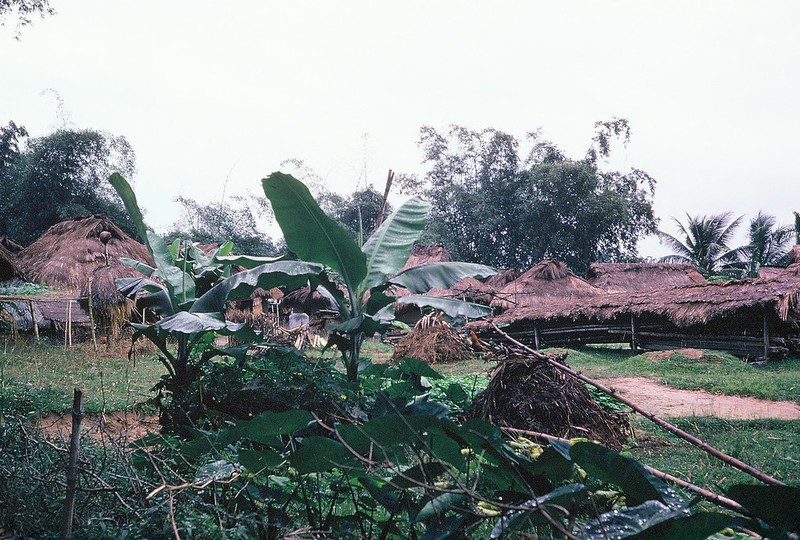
[(548, 279)]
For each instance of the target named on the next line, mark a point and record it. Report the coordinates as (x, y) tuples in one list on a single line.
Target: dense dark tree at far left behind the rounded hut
[(61, 176)]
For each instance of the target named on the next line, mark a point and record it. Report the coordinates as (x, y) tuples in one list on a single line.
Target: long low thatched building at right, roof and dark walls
[(749, 318)]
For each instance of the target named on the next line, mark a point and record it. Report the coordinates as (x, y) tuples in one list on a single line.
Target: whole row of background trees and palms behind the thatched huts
[(493, 202)]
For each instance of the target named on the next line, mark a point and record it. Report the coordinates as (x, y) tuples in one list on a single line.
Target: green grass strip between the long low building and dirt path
[(715, 372)]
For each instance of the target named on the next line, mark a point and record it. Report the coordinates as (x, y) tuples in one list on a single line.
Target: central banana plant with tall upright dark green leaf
[(364, 277)]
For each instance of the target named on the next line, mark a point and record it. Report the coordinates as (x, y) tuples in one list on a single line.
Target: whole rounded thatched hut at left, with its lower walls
[(79, 255)]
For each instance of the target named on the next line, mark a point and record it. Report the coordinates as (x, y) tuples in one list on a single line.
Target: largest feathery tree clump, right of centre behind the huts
[(491, 206)]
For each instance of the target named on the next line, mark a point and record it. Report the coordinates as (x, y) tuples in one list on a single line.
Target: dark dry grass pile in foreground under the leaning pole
[(531, 394)]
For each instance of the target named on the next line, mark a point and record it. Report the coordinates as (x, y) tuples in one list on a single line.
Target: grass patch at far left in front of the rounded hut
[(41, 377)]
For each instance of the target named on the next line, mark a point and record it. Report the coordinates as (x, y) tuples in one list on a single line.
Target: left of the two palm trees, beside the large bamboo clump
[(705, 242)]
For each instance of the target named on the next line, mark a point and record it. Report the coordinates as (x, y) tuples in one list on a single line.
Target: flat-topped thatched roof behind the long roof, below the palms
[(642, 276)]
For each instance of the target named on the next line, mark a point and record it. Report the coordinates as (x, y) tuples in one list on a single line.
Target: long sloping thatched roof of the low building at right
[(684, 306)]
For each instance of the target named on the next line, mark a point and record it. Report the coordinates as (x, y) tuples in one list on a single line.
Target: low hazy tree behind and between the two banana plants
[(232, 220)]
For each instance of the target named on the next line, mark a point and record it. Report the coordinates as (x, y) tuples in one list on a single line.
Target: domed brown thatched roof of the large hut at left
[(69, 252)]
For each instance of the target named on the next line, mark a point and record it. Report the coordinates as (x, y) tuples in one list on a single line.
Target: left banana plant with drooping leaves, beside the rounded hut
[(188, 290)]
